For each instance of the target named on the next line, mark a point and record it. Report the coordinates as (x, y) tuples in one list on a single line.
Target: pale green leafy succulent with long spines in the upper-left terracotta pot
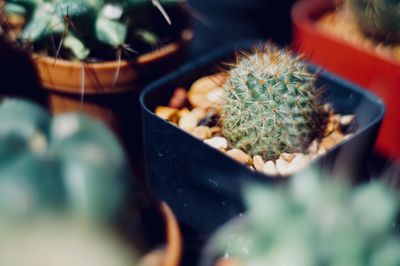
[(96, 29)]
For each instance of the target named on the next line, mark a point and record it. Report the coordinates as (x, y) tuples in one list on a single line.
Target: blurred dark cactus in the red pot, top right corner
[(379, 19)]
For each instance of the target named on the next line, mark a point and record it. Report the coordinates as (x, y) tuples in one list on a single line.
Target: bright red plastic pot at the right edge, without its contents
[(364, 67)]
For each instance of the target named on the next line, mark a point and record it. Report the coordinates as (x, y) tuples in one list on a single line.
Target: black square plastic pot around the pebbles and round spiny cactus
[(203, 185)]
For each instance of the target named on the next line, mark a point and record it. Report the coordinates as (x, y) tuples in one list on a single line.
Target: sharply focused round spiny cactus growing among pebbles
[(271, 104)]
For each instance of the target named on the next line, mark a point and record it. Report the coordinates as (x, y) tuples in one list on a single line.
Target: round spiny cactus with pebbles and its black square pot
[(191, 172)]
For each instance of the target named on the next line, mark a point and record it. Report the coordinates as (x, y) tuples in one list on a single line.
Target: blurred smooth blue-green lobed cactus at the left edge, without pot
[(70, 163)]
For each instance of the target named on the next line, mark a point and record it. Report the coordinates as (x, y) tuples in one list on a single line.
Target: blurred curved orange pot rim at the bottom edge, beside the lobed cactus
[(173, 249)]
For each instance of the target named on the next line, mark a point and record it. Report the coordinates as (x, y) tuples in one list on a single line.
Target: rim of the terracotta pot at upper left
[(146, 58)]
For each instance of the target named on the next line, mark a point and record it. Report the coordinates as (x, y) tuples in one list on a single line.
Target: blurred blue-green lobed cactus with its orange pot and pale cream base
[(70, 173)]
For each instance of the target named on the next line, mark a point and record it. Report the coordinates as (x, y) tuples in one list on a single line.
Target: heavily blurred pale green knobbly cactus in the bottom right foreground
[(312, 222)]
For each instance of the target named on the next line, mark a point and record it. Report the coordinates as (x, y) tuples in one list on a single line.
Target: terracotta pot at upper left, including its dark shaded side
[(88, 87)]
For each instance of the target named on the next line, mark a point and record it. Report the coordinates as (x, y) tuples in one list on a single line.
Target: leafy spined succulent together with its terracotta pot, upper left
[(94, 56)]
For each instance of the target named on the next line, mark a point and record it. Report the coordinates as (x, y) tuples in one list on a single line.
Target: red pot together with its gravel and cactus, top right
[(359, 41)]
